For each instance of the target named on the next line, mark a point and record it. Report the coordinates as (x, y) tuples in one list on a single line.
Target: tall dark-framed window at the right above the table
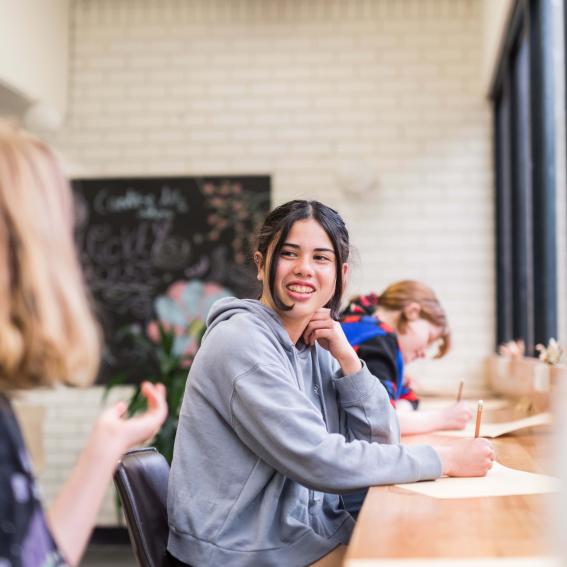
[(525, 179)]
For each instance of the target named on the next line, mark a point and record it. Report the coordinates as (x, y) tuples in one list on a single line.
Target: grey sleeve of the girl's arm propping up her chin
[(367, 411)]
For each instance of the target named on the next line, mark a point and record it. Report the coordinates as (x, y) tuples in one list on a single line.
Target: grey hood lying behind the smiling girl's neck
[(228, 307)]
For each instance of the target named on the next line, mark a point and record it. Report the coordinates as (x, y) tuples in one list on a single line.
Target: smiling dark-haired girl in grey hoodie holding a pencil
[(280, 415)]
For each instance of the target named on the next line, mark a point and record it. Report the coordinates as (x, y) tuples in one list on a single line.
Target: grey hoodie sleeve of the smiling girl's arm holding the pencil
[(278, 423)]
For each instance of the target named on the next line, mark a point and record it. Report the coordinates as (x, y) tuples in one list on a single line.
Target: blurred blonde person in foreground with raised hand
[(48, 336)]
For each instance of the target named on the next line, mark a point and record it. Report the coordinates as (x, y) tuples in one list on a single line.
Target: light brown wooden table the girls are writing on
[(395, 524)]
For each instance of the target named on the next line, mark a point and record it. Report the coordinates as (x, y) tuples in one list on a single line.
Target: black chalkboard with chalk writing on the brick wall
[(138, 236)]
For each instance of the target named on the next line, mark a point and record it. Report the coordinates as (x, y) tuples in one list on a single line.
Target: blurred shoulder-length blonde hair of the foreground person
[(47, 330)]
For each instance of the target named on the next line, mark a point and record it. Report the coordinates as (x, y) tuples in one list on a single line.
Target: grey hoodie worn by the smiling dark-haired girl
[(269, 433)]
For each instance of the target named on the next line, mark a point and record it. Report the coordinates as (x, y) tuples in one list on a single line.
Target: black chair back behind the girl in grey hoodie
[(141, 480)]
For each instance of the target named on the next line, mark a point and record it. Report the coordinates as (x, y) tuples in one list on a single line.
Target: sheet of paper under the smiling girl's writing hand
[(500, 481)]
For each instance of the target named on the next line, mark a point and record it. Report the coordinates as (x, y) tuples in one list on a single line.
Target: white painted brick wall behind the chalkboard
[(304, 90)]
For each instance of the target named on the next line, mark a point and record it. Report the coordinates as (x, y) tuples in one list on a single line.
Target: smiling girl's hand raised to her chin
[(330, 335)]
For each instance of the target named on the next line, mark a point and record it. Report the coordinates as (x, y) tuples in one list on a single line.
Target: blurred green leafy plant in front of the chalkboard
[(163, 363)]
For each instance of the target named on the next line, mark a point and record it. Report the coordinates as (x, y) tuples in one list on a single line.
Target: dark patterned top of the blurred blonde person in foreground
[(25, 539)]
